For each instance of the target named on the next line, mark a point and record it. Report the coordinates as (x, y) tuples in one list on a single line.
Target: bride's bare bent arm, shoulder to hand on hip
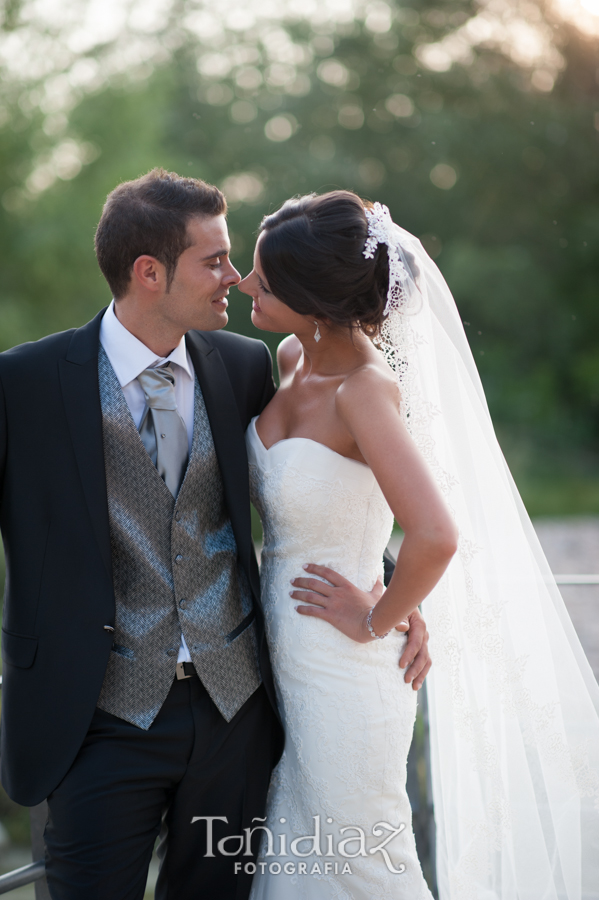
[(368, 404)]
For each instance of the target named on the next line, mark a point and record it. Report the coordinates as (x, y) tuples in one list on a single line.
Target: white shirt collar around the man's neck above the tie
[(129, 356)]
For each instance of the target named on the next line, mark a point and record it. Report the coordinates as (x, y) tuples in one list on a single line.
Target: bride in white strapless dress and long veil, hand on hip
[(353, 437)]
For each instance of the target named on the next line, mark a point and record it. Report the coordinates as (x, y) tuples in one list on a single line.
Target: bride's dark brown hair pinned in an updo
[(312, 254)]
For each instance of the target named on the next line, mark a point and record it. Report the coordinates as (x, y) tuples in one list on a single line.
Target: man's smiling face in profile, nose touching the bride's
[(197, 297)]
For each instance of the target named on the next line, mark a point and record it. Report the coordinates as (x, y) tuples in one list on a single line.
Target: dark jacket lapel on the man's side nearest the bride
[(228, 436)]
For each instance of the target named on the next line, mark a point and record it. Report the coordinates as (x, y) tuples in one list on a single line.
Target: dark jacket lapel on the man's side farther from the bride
[(78, 374)]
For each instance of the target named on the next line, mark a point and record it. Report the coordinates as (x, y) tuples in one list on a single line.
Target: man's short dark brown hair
[(149, 216)]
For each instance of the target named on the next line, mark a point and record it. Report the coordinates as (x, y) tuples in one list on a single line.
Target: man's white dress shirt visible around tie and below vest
[(129, 358)]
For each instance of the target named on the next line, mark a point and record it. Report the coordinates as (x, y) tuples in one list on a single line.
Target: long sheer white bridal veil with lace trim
[(514, 705)]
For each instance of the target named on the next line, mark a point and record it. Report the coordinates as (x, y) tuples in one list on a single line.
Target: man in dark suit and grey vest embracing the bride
[(137, 688)]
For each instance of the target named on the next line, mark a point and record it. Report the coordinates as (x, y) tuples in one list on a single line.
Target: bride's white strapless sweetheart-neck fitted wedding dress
[(347, 711)]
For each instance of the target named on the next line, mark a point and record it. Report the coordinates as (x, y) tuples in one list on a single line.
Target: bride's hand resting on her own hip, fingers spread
[(336, 600)]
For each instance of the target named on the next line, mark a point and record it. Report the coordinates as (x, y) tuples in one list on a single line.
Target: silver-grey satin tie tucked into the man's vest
[(162, 430)]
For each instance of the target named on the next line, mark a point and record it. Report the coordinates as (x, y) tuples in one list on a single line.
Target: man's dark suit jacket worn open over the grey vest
[(54, 521)]
